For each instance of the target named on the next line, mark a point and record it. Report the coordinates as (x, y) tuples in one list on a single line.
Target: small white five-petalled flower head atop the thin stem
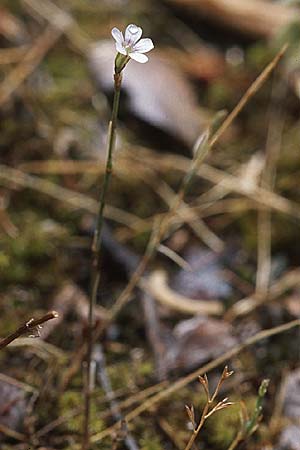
[(132, 46)]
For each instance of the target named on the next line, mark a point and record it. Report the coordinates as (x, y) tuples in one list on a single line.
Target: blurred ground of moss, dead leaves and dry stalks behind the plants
[(232, 251)]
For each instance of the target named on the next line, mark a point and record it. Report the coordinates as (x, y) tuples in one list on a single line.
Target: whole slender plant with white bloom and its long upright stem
[(130, 47)]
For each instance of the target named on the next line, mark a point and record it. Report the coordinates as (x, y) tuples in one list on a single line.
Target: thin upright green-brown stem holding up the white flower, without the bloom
[(96, 248)]
